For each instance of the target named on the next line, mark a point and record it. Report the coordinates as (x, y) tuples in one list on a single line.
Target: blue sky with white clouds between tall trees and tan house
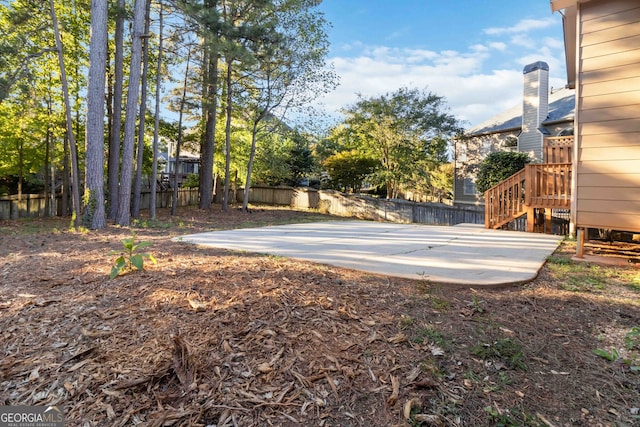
[(471, 52)]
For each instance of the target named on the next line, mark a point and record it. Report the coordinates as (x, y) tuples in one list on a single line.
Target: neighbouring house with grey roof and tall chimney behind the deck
[(543, 112)]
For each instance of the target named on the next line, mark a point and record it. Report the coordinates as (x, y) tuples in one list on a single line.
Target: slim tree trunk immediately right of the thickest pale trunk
[(116, 123)]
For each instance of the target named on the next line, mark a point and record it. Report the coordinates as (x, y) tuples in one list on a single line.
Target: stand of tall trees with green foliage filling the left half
[(254, 62)]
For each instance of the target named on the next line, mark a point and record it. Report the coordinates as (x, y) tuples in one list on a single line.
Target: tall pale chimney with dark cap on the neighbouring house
[(535, 108)]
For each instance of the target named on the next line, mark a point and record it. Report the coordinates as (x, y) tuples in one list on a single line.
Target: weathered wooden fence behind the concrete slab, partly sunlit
[(365, 207)]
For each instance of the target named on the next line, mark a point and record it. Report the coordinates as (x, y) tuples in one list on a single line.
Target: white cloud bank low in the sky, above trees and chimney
[(482, 80)]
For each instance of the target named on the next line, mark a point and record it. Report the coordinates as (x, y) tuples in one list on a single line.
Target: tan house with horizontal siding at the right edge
[(602, 45)]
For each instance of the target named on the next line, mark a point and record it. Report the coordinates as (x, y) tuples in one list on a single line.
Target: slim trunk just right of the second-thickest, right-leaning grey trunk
[(137, 189)]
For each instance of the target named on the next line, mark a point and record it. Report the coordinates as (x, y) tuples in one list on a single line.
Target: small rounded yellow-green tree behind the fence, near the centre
[(348, 169)]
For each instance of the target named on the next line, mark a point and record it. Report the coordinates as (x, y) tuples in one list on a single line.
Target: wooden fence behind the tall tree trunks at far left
[(33, 205)]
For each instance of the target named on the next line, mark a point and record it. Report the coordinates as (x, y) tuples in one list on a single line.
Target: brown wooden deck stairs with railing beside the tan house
[(537, 186)]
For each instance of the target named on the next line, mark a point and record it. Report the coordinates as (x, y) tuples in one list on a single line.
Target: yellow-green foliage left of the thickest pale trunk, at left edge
[(31, 89)]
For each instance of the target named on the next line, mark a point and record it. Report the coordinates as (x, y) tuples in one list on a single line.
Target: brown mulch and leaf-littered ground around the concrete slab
[(216, 338)]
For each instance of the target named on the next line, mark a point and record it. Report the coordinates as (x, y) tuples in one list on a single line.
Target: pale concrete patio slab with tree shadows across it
[(465, 254)]
